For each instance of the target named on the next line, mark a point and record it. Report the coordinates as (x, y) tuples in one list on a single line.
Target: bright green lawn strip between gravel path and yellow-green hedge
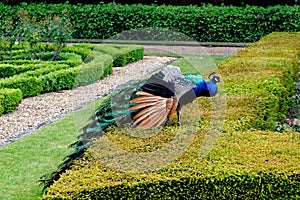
[(24, 161)]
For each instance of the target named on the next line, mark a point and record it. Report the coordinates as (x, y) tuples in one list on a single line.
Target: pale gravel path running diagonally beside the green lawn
[(36, 112)]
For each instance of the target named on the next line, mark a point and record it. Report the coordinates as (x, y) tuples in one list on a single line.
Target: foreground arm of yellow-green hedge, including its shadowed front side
[(230, 171)]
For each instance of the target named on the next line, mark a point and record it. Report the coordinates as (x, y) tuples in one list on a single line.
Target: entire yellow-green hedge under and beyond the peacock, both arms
[(244, 162)]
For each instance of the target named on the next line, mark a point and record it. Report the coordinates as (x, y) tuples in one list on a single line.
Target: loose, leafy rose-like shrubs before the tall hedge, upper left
[(29, 31)]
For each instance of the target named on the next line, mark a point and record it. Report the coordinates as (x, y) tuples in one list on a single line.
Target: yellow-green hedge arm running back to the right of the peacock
[(262, 75)]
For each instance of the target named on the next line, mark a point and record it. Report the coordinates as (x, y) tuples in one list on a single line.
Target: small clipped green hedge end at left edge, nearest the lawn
[(9, 98)]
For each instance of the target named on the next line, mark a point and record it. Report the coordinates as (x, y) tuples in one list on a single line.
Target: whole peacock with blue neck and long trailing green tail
[(141, 104)]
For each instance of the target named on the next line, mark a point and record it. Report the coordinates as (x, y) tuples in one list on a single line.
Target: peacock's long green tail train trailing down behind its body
[(113, 110)]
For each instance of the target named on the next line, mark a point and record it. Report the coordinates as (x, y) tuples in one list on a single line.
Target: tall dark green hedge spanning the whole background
[(205, 23)]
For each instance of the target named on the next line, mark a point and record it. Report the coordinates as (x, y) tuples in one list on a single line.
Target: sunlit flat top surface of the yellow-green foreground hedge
[(233, 155)]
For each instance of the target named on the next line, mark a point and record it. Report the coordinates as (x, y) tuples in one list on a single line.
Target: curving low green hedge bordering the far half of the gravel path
[(98, 64)]
